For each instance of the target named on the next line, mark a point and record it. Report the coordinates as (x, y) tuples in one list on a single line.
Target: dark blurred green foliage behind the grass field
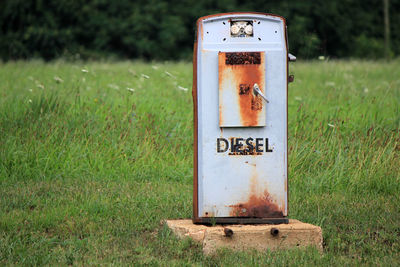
[(164, 30)]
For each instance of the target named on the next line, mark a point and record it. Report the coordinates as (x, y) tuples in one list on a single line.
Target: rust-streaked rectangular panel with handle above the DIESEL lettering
[(238, 72)]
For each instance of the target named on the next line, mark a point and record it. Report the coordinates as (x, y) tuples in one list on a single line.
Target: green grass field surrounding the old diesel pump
[(94, 155)]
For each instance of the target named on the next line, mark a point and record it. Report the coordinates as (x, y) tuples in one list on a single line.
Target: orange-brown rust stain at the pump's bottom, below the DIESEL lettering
[(258, 205)]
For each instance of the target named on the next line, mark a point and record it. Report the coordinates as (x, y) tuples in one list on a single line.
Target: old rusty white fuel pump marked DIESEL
[(240, 113)]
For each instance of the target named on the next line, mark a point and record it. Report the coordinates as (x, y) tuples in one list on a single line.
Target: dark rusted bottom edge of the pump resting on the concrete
[(240, 220)]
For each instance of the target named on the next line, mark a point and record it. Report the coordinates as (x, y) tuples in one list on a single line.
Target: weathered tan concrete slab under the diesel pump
[(240, 237)]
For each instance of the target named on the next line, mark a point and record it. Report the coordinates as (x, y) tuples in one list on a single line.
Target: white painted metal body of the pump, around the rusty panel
[(227, 182)]
